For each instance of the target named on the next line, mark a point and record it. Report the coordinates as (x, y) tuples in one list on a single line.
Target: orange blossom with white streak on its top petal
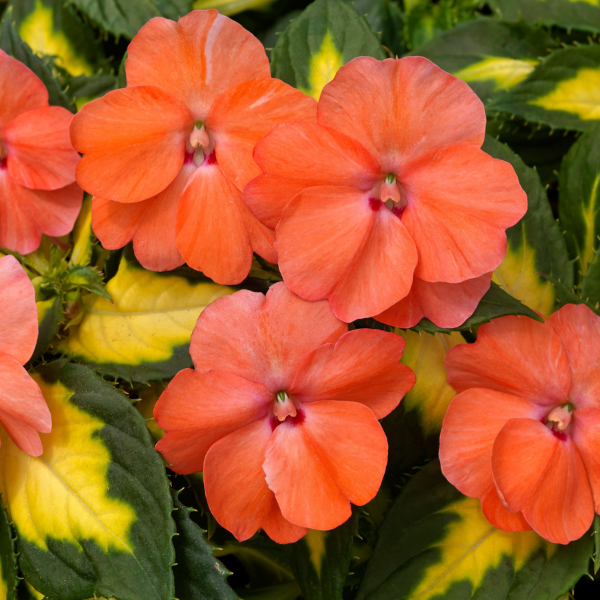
[(167, 157)]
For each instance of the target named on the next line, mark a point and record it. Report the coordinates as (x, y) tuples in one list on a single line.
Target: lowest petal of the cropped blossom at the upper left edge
[(25, 214)]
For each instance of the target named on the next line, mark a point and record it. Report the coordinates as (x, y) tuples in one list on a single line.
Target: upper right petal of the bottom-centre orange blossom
[(362, 366)]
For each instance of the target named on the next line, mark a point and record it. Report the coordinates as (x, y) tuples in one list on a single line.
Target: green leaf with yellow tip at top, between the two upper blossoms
[(327, 35)]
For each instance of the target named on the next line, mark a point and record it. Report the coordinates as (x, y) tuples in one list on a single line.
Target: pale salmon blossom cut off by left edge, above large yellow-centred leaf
[(23, 410)]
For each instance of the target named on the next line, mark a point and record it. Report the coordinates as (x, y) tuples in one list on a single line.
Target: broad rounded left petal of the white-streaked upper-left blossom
[(133, 143)]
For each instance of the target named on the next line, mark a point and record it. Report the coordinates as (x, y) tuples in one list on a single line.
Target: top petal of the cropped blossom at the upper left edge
[(20, 89)]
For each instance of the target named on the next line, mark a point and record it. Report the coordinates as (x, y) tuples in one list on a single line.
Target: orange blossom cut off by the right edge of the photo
[(523, 434)]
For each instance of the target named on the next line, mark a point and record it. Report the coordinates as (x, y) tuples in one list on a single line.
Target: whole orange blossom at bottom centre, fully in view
[(281, 413)]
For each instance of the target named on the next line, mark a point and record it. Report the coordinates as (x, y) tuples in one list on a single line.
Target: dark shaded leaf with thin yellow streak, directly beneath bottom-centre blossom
[(321, 561)]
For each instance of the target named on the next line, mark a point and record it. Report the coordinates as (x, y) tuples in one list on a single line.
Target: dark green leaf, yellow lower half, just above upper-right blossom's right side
[(488, 55)]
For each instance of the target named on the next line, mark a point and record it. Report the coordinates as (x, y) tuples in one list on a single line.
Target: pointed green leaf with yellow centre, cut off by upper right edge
[(563, 91)]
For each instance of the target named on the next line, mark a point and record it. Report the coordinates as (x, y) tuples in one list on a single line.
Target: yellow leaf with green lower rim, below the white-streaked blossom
[(144, 334)]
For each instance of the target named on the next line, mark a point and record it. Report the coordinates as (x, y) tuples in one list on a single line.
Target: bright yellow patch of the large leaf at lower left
[(72, 473)]
